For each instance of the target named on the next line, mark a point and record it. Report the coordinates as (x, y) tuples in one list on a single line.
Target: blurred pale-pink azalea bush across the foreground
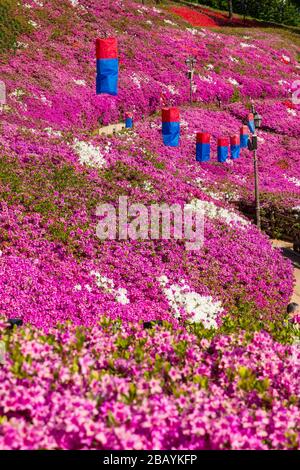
[(121, 386)]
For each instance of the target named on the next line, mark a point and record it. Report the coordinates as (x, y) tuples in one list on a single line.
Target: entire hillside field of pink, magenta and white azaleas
[(219, 368)]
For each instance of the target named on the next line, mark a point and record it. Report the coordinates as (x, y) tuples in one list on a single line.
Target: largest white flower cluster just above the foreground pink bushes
[(202, 307)]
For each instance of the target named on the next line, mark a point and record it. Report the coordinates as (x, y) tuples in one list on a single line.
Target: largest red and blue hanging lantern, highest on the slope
[(107, 66)]
